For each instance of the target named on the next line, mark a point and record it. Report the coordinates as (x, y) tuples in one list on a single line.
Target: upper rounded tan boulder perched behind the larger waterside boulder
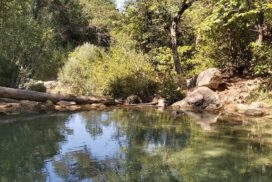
[(211, 78)]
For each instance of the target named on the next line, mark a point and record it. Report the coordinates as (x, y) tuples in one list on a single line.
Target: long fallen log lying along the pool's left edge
[(19, 94)]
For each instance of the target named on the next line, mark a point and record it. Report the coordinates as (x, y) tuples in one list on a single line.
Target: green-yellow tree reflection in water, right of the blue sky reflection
[(183, 152)]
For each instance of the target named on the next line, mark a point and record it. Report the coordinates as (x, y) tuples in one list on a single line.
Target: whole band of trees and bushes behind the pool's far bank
[(99, 50)]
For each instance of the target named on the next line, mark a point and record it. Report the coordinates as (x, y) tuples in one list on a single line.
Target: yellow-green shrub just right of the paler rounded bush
[(124, 72)]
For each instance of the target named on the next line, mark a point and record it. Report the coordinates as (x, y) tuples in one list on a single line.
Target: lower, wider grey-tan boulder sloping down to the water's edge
[(202, 98)]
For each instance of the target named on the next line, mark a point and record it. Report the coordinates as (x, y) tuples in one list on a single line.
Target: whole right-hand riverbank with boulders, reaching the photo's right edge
[(214, 92)]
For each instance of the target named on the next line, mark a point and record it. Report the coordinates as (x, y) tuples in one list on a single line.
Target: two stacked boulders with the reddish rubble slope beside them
[(207, 96)]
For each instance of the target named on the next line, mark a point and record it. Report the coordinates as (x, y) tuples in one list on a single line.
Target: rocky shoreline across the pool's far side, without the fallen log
[(209, 92)]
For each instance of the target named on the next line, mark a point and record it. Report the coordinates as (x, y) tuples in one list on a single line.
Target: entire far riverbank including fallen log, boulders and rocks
[(211, 91)]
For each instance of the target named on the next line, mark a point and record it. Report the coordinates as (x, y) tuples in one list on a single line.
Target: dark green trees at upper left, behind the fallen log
[(36, 35)]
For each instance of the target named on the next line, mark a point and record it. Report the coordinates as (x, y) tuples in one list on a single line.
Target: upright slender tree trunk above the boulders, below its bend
[(174, 45)]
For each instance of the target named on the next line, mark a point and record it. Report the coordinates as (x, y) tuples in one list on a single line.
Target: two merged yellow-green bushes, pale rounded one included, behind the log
[(121, 72)]
